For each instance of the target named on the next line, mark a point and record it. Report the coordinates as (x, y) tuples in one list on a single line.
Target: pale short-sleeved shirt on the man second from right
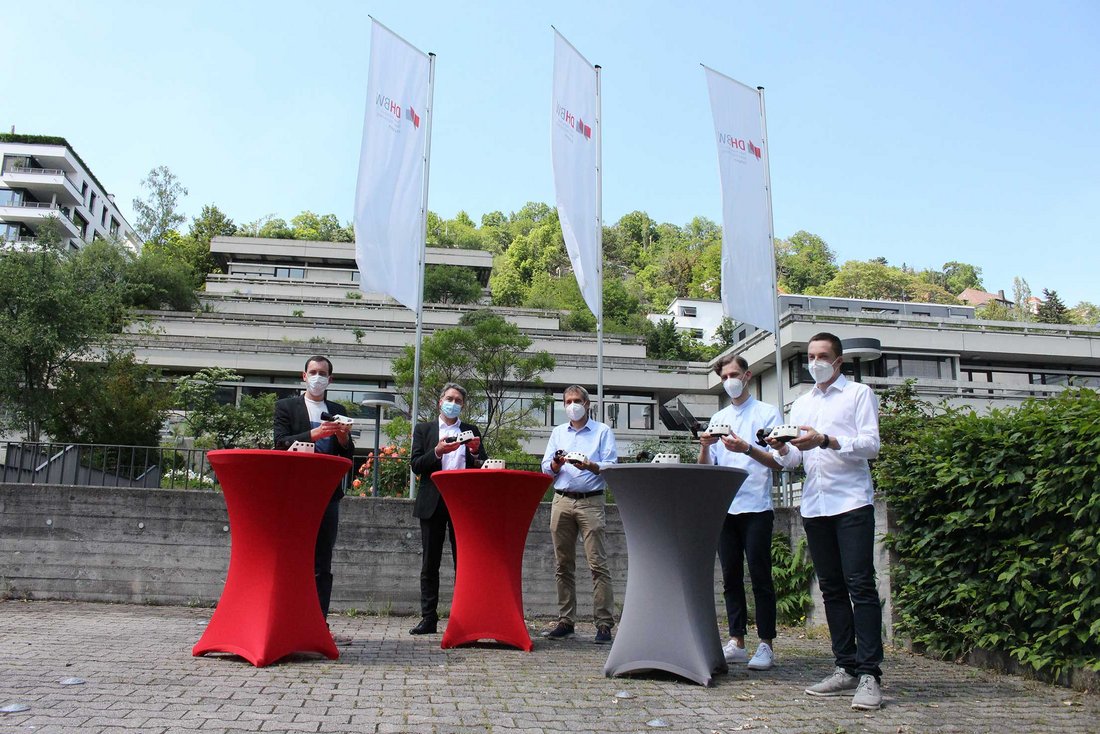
[(745, 420)]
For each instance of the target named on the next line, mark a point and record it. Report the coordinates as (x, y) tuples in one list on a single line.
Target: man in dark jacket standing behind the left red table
[(300, 420)]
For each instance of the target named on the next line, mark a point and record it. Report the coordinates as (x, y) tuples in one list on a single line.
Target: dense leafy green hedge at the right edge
[(998, 528)]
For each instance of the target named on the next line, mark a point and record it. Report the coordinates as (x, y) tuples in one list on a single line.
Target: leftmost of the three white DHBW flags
[(390, 193)]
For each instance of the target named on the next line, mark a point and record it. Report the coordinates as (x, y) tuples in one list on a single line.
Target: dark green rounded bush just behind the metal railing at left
[(116, 400)]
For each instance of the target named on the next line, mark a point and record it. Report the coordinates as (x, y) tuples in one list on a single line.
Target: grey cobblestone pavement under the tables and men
[(141, 677)]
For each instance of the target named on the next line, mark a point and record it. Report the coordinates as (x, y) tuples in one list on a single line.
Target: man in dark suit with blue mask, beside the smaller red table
[(433, 452)]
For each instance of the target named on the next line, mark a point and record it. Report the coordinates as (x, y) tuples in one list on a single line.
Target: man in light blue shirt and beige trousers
[(578, 509)]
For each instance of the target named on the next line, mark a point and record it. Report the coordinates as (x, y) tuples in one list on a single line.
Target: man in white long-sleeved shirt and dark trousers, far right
[(840, 433)]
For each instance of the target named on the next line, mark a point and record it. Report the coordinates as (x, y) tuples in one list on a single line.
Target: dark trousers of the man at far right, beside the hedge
[(843, 550)]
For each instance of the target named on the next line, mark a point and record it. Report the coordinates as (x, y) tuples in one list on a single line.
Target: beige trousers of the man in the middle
[(586, 518)]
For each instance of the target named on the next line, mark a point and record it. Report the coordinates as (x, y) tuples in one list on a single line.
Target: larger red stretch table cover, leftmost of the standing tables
[(269, 608)]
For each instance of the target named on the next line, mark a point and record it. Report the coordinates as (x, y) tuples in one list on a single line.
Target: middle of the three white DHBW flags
[(574, 139)]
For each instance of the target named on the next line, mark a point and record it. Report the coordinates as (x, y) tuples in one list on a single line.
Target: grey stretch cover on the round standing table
[(673, 517)]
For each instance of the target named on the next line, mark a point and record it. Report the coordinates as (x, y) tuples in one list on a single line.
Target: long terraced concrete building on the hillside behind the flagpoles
[(281, 301)]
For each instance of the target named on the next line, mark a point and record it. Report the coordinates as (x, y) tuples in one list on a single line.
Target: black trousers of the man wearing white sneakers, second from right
[(749, 535)]
